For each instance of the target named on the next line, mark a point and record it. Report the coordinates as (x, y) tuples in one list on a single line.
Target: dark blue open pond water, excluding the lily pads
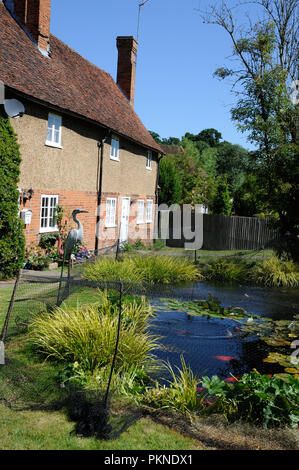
[(216, 346)]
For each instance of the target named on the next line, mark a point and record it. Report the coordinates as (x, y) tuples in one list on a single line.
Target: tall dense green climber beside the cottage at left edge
[(12, 241)]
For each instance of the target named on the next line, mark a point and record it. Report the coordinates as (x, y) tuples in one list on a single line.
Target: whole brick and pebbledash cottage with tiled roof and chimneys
[(82, 144)]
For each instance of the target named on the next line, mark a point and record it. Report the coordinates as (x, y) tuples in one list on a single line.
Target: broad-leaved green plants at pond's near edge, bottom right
[(256, 398)]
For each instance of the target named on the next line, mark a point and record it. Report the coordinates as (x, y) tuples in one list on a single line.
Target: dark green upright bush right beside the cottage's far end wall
[(170, 191)]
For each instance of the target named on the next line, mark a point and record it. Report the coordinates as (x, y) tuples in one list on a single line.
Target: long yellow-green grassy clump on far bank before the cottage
[(149, 269)]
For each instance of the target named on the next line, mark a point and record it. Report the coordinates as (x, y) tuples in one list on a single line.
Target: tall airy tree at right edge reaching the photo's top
[(266, 55)]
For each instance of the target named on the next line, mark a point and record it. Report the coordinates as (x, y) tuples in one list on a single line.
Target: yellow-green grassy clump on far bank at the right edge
[(277, 273)]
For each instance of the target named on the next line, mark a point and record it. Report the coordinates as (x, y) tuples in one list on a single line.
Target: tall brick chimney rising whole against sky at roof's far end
[(126, 68)]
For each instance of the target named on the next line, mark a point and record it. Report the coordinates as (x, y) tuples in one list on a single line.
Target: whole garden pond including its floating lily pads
[(257, 333)]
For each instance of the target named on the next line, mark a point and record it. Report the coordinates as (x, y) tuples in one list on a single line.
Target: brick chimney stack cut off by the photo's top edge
[(35, 16)]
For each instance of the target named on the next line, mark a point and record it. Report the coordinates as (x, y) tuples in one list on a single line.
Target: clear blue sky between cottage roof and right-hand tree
[(175, 89)]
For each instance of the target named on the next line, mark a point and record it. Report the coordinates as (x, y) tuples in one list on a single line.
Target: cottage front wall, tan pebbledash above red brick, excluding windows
[(72, 173)]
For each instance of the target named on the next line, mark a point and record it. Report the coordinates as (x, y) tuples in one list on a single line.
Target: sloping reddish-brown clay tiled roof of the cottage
[(67, 81)]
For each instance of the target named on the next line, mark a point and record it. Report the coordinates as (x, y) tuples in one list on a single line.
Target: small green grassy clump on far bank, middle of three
[(226, 270)]
